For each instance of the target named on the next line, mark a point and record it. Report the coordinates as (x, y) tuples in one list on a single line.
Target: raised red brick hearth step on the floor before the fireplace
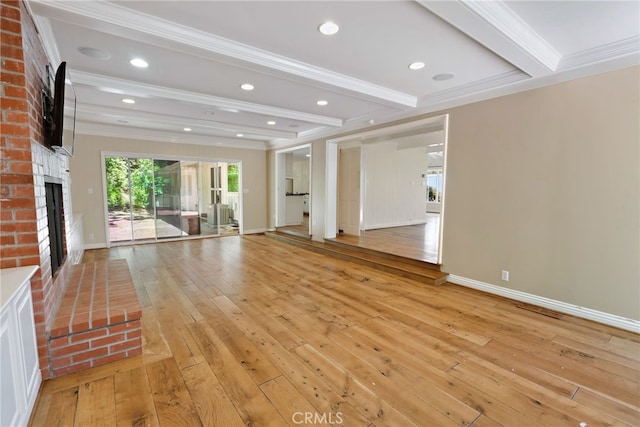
[(98, 320)]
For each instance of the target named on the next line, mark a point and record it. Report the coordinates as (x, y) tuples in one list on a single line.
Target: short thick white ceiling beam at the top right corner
[(497, 27)]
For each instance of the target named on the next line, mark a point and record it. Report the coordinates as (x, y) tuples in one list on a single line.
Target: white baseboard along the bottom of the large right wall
[(559, 306)]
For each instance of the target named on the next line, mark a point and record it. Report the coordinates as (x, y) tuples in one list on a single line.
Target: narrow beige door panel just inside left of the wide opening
[(349, 191)]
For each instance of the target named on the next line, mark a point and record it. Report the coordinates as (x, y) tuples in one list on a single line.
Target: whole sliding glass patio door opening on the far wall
[(155, 199)]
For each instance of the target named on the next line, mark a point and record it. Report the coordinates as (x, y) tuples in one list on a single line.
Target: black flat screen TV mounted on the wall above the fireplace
[(53, 115)]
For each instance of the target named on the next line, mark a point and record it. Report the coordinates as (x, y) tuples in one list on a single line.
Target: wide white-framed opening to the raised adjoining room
[(396, 180)]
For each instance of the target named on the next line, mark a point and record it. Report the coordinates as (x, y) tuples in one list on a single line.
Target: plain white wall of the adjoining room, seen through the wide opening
[(394, 192)]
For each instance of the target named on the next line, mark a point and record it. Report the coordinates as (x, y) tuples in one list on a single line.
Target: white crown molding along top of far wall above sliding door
[(112, 131)]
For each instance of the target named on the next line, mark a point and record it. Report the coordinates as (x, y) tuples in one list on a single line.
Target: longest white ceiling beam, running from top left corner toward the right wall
[(120, 16)]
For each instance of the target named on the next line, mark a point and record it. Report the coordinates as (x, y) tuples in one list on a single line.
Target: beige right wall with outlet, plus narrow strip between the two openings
[(544, 184)]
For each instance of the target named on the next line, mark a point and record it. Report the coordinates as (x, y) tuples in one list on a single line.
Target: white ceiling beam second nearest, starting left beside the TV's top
[(145, 90)]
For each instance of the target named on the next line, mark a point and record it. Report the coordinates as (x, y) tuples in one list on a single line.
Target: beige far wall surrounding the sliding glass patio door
[(86, 174)]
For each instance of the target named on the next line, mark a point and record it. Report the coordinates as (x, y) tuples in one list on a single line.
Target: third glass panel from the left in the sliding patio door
[(167, 198)]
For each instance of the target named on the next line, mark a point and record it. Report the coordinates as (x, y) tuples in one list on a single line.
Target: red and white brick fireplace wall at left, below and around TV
[(25, 165)]
